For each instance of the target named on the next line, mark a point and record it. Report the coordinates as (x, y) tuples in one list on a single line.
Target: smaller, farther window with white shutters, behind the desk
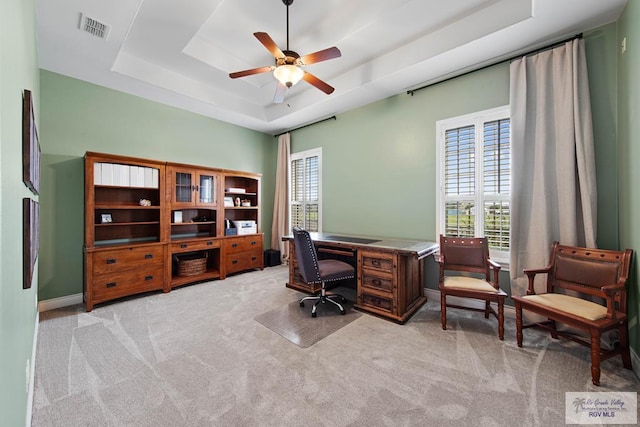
[(305, 182)]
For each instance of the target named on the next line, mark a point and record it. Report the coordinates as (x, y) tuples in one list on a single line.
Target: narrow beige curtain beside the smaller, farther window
[(280, 225)]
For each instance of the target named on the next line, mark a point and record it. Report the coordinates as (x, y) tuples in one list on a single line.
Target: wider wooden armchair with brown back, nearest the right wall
[(588, 273)]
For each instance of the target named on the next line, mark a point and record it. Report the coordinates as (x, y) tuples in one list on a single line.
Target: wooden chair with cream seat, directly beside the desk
[(471, 255)]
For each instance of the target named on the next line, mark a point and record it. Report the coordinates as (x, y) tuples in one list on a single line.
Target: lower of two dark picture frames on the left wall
[(30, 239)]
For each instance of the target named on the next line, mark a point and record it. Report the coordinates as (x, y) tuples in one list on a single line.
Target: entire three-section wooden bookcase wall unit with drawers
[(144, 217)]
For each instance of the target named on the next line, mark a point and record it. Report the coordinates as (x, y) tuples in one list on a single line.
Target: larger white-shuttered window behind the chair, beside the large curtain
[(474, 171)]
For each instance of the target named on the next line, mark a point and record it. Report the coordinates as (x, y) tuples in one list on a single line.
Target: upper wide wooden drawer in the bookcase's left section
[(116, 260)]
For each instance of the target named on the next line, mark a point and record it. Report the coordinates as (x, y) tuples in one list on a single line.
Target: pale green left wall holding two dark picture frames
[(18, 312)]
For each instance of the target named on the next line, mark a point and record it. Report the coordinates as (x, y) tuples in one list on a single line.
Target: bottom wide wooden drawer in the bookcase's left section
[(110, 286)]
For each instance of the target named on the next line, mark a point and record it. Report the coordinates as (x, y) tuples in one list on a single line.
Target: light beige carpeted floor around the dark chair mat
[(197, 357)]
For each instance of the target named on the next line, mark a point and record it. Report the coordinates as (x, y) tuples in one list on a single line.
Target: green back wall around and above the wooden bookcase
[(79, 117)]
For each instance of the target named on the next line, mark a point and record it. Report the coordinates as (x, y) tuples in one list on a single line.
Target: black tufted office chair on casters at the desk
[(321, 271)]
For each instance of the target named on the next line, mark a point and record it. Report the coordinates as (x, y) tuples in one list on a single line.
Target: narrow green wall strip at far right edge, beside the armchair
[(629, 153)]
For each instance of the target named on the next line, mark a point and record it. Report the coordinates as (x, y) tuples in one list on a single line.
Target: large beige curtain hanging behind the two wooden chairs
[(554, 181)]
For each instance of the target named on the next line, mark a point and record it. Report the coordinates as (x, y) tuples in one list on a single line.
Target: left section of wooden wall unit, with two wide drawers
[(124, 241)]
